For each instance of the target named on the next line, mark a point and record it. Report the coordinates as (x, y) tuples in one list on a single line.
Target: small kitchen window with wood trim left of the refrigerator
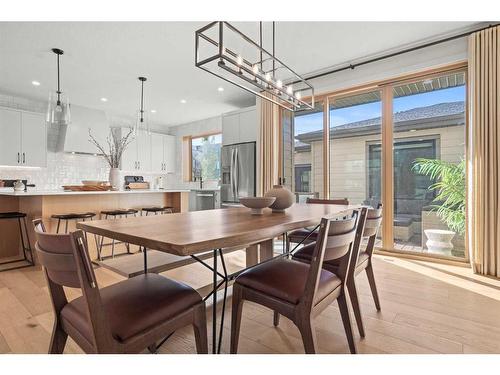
[(204, 156)]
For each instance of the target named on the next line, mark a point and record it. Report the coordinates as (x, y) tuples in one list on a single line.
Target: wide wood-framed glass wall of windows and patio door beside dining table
[(395, 157)]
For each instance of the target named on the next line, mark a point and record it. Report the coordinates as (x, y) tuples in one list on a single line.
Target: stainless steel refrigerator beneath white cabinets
[(238, 172)]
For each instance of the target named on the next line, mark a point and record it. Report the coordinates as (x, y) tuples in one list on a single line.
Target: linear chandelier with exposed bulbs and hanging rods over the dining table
[(227, 53)]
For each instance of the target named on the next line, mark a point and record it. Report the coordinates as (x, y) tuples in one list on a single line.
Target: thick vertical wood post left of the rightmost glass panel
[(387, 169)]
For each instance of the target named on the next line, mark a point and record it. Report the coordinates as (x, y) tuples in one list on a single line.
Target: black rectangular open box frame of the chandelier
[(231, 62)]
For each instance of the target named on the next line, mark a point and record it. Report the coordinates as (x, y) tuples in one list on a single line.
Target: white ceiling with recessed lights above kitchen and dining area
[(104, 60)]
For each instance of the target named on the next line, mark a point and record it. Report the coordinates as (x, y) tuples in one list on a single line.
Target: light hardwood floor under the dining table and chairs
[(426, 308)]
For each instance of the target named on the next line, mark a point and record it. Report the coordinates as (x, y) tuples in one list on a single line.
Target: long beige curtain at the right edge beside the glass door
[(484, 151)]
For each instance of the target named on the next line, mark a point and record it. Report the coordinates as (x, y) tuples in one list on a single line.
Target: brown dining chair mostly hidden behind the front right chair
[(372, 225)]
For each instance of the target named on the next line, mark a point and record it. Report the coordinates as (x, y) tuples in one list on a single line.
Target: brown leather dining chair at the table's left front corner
[(126, 317)]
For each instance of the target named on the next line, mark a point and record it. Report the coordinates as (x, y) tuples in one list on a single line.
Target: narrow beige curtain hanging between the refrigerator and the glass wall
[(269, 144)]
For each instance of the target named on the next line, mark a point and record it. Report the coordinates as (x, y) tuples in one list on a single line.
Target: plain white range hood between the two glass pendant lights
[(77, 134)]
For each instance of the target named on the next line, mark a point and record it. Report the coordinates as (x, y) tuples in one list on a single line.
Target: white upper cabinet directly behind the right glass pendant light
[(137, 156)]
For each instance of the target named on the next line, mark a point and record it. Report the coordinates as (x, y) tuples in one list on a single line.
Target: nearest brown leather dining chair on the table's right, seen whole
[(301, 291)]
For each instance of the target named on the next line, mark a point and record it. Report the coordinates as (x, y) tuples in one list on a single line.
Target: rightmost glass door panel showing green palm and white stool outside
[(428, 157)]
